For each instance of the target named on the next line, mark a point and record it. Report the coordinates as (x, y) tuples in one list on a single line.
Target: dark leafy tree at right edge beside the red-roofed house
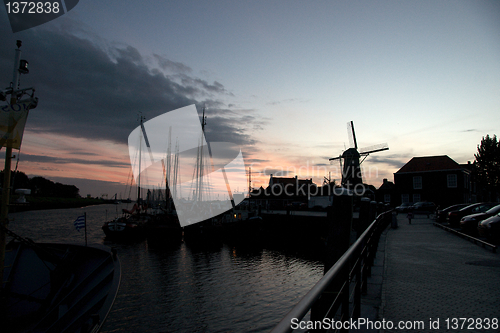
[(487, 165)]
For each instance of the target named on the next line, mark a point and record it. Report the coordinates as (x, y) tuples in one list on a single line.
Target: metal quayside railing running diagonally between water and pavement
[(350, 274)]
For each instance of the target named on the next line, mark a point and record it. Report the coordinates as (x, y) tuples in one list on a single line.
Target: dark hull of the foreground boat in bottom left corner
[(58, 287)]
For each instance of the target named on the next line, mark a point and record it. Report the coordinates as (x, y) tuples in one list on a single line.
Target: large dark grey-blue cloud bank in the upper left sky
[(88, 88)]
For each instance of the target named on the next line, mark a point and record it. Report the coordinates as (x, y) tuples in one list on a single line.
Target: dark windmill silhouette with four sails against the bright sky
[(351, 171)]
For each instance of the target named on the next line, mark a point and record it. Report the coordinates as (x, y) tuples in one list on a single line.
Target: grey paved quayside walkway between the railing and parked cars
[(432, 275)]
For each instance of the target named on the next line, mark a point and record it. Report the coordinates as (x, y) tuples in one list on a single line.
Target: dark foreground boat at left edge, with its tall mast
[(47, 287)]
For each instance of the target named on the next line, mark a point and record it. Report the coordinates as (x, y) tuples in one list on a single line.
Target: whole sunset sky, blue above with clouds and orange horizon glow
[(281, 79)]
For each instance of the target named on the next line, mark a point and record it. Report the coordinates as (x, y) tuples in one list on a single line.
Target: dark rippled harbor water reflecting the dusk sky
[(186, 287)]
